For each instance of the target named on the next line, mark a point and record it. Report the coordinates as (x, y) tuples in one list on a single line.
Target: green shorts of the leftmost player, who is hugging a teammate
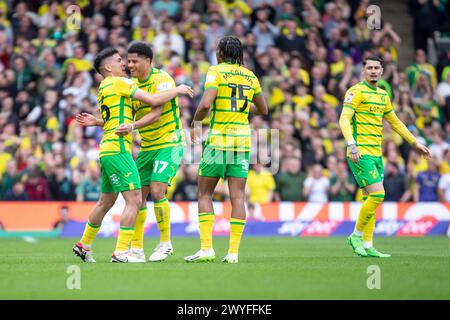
[(119, 173)]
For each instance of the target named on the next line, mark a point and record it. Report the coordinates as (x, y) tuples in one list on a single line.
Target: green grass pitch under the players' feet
[(269, 268)]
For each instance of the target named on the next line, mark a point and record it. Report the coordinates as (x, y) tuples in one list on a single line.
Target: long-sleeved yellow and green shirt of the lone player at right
[(367, 107)]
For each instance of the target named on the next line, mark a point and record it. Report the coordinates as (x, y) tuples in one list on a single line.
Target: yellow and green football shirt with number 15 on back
[(236, 86)]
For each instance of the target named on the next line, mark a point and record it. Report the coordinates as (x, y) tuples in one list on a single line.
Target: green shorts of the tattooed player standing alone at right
[(368, 170)]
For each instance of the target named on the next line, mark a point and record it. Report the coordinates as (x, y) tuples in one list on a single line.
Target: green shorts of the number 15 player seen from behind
[(221, 164)]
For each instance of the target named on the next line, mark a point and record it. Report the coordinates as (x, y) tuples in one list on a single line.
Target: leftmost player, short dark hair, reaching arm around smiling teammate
[(118, 169)]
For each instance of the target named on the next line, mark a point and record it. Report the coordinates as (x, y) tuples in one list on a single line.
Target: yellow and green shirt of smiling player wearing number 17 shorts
[(168, 130)]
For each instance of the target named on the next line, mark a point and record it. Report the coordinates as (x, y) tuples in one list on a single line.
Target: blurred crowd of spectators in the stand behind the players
[(306, 53)]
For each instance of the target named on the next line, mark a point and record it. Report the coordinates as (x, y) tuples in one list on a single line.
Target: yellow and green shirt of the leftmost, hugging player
[(115, 100)]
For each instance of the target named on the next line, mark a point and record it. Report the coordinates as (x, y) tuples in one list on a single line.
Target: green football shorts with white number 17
[(159, 165)]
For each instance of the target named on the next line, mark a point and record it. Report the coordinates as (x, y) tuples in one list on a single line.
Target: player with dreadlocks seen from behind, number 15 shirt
[(230, 90)]
